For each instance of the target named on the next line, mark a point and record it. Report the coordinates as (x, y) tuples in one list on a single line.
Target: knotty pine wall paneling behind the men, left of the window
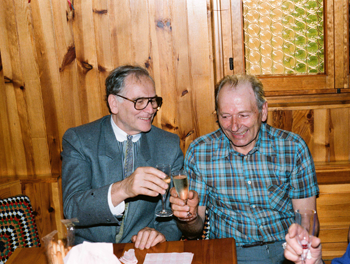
[(55, 60)]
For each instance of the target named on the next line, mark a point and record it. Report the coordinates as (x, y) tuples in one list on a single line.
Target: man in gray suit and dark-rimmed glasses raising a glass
[(109, 178)]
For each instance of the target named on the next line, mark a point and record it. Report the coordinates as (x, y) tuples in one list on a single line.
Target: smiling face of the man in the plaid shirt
[(239, 116)]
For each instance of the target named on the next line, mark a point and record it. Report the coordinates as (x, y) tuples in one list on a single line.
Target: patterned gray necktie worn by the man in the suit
[(128, 169)]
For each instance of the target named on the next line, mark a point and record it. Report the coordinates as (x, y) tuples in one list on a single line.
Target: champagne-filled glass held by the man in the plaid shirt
[(180, 179)]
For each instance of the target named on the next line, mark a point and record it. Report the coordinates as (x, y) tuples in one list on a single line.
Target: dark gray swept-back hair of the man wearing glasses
[(115, 82)]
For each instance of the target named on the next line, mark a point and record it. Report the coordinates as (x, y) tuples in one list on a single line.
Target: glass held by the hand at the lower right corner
[(306, 219)]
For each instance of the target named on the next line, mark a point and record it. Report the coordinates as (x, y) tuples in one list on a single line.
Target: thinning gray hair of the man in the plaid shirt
[(235, 80)]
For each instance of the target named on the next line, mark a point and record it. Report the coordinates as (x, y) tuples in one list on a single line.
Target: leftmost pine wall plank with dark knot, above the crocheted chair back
[(20, 143)]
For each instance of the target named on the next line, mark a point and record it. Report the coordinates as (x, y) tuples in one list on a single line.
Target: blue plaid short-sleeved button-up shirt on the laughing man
[(249, 197)]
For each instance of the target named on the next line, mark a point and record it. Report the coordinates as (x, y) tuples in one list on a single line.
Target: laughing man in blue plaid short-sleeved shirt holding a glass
[(247, 175)]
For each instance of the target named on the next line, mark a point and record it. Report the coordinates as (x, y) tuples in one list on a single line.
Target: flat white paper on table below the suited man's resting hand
[(168, 258)]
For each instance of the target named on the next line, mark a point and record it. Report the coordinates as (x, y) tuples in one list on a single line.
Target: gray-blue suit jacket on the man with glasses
[(91, 162)]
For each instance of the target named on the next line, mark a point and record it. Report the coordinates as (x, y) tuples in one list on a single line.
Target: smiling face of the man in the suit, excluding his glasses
[(125, 116)]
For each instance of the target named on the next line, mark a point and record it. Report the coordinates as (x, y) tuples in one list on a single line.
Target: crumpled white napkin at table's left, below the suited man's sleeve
[(91, 253)]
